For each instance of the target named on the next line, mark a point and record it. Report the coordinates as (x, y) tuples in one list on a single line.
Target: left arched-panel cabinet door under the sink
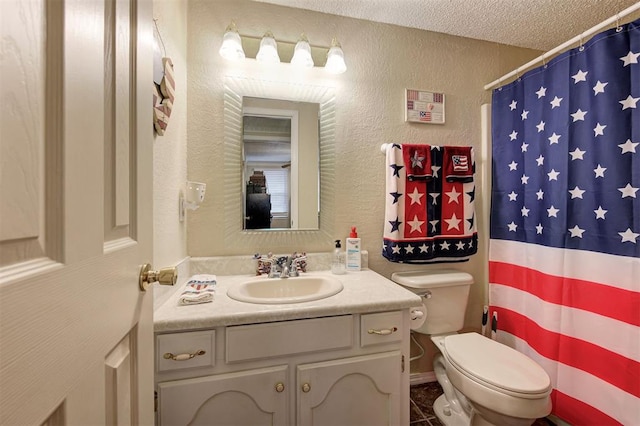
[(252, 397)]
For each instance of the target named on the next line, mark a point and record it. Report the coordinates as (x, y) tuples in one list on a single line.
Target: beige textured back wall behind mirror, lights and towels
[(382, 61)]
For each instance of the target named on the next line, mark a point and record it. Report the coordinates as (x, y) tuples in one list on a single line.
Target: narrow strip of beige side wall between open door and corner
[(170, 150)]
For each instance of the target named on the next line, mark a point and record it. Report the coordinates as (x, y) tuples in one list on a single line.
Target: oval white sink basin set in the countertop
[(285, 290)]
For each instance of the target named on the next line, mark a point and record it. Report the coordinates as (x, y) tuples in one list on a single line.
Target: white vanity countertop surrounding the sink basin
[(364, 291)]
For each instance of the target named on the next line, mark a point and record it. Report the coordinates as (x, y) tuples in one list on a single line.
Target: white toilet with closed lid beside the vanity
[(484, 382)]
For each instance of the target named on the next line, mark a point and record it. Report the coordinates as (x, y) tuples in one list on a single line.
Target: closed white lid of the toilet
[(488, 361)]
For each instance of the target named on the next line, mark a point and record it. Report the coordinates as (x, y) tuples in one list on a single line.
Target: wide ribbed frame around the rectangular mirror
[(235, 89)]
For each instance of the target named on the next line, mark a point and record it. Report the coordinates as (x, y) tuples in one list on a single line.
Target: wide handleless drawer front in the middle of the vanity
[(245, 342)]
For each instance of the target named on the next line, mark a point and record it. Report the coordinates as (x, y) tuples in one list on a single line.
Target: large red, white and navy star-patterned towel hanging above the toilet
[(427, 220)]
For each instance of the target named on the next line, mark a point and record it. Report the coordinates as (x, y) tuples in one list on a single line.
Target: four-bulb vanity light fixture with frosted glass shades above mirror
[(303, 52)]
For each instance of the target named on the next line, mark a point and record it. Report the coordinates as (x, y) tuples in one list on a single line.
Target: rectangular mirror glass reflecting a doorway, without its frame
[(280, 164)]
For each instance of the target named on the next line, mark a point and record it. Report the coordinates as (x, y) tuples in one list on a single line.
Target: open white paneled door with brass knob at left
[(75, 212)]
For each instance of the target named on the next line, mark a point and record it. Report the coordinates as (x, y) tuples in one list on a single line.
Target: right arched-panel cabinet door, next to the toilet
[(362, 390)]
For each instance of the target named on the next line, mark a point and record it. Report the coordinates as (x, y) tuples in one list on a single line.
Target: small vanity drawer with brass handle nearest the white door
[(185, 350)]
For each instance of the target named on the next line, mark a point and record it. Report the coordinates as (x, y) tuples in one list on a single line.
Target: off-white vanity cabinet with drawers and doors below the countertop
[(340, 370)]
